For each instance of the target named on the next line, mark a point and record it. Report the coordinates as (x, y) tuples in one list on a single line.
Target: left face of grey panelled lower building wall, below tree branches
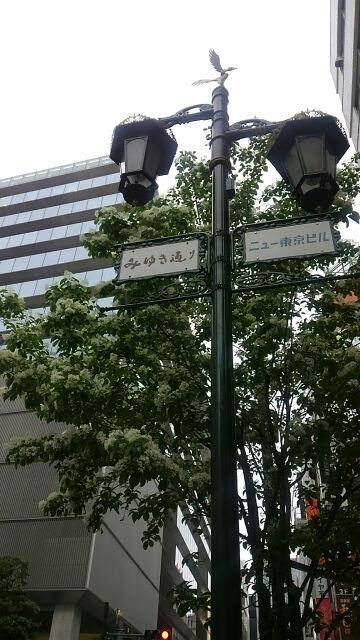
[(56, 549)]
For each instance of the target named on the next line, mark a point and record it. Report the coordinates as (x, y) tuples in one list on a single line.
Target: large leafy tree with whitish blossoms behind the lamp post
[(134, 386)]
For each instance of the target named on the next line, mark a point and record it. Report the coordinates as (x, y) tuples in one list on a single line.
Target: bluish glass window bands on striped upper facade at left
[(53, 232)]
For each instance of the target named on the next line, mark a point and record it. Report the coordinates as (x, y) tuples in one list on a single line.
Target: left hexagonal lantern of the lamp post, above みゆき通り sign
[(143, 150)]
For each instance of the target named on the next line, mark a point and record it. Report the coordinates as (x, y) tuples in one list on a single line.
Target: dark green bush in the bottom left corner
[(18, 614)]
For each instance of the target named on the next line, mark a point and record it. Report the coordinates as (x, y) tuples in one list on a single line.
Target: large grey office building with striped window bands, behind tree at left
[(73, 573)]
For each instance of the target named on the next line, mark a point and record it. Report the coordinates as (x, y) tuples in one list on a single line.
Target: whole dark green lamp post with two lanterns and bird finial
[(305, 152)]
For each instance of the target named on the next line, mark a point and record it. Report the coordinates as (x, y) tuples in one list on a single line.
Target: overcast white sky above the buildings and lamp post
[(72, 69)]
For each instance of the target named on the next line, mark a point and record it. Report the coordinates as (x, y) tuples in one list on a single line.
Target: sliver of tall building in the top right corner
[(345, 61)]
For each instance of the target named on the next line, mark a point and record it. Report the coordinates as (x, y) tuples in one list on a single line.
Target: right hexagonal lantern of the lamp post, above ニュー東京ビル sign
[(305, 153)]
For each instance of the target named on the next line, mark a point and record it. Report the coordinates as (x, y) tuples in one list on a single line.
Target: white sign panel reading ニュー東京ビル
[(289, 241)]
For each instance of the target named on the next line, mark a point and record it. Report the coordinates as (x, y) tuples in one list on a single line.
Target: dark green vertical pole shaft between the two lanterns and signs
[(225, 553)]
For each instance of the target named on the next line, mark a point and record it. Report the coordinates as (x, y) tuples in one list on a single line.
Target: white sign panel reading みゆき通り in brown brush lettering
[(165, 259)]
